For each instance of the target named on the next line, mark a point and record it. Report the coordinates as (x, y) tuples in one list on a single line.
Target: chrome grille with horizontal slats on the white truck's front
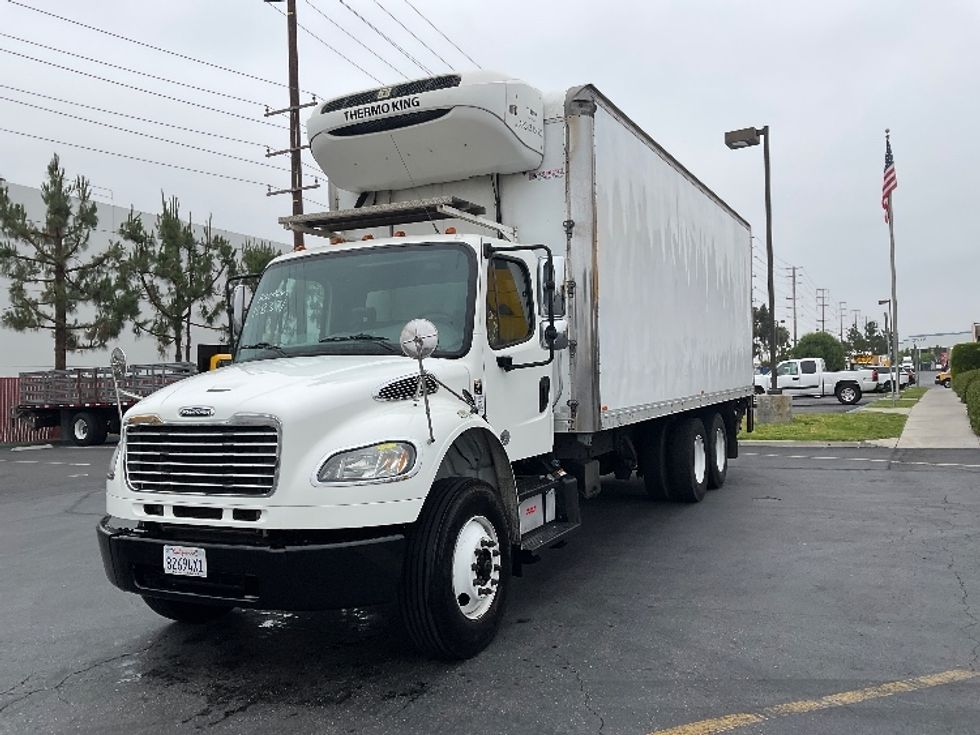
[(222, 459)]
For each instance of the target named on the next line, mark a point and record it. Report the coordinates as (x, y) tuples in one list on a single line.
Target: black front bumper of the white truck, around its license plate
[(301, 574)]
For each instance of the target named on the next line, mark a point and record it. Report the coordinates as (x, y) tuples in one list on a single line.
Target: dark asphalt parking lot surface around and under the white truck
[(820, 591)]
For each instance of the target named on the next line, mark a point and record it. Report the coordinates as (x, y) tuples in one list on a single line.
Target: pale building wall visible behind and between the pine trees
[(22, 351)]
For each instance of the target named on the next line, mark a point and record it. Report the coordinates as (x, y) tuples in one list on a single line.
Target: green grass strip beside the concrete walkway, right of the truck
[(857, 426)]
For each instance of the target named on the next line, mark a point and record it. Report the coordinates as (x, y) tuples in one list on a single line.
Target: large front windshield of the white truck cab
[(356, 302)]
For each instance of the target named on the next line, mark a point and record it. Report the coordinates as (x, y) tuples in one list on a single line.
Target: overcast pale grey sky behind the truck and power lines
[(827, 77)]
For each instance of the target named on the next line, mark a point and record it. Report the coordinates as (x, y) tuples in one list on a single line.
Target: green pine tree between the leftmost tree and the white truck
[(178, 274)]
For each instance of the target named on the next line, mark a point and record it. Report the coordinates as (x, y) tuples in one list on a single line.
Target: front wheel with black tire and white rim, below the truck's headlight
[(457, 570)]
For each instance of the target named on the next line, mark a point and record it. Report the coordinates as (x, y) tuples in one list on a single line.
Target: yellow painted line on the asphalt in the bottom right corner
[(727, 723)]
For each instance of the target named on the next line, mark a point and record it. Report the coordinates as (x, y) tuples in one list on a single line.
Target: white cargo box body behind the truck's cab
[(658, 266)]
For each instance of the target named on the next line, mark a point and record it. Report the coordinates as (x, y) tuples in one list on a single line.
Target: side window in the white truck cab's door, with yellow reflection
[(510, 303)]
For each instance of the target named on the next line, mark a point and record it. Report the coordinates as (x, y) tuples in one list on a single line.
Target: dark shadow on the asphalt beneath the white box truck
[(322, 660)]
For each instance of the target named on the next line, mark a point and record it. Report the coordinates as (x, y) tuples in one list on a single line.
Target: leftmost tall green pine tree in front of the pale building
[(51, 279)]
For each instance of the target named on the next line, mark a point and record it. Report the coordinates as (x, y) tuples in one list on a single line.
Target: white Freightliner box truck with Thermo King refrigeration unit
[(514, 295)]
